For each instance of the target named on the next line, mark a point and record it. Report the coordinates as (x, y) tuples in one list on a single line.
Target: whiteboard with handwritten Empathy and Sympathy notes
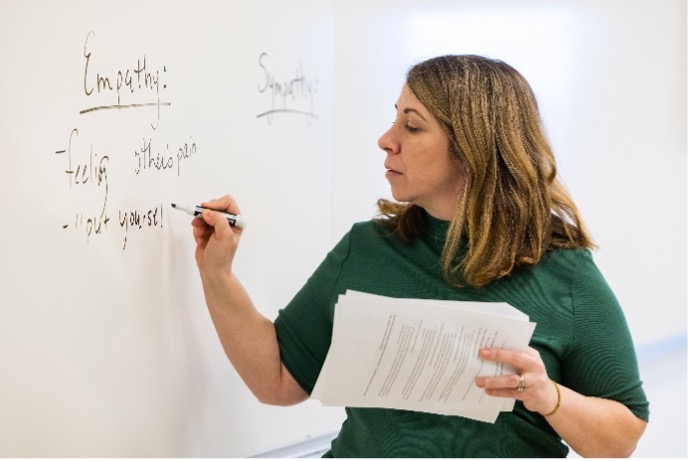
[(110, 112)]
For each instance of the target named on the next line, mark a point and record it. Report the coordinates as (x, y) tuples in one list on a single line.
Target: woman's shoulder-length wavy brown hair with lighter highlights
[(514, 208)]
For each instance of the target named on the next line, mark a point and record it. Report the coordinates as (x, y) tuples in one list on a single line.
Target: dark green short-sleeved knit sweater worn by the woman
[(581, 334)]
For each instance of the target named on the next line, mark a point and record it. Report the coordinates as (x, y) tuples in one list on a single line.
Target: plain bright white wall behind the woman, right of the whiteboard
[(610, 77)]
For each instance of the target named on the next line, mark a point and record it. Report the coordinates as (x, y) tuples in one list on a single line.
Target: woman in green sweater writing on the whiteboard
[(479, 215)]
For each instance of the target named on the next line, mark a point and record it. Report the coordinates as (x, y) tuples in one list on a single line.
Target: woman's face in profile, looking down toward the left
[(418, 163)]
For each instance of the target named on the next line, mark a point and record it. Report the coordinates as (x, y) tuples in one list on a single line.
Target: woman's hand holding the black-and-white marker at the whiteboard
[(216, 240)]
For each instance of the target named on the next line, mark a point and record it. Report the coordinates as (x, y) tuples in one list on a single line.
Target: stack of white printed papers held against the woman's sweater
[(418, 354)]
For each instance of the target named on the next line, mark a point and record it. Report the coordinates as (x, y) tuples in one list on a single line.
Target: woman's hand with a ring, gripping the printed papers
[(537, 392)]
